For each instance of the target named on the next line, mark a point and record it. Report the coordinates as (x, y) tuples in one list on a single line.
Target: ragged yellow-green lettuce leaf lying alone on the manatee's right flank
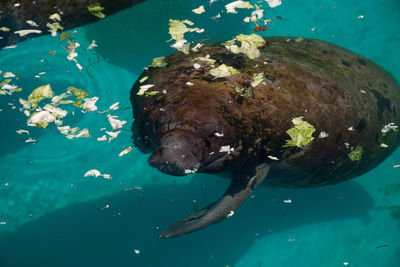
[(300, 134)]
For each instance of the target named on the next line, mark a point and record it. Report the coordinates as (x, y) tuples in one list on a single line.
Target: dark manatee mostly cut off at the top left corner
[(74, 13)]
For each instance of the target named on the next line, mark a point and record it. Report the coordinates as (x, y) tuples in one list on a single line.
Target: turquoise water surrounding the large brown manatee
[(51, 211)]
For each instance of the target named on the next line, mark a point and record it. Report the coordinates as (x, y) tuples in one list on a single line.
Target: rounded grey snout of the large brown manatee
[(175, 155)]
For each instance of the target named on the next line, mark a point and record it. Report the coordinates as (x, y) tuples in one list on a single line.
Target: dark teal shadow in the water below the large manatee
[(81, 235)]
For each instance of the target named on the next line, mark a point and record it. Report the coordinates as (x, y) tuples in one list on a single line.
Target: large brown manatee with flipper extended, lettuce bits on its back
[(320, 115)]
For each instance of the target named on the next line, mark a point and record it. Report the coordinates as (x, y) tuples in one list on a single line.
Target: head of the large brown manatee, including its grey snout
[(182, 139)]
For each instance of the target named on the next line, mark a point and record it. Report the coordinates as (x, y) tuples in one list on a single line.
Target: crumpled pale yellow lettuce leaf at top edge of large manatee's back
[(249, 45)]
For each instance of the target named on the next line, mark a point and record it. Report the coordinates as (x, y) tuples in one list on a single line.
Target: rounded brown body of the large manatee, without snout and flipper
[(338, 92)]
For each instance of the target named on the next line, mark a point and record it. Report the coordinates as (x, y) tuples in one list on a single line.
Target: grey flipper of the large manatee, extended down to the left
[(242, 185)]
